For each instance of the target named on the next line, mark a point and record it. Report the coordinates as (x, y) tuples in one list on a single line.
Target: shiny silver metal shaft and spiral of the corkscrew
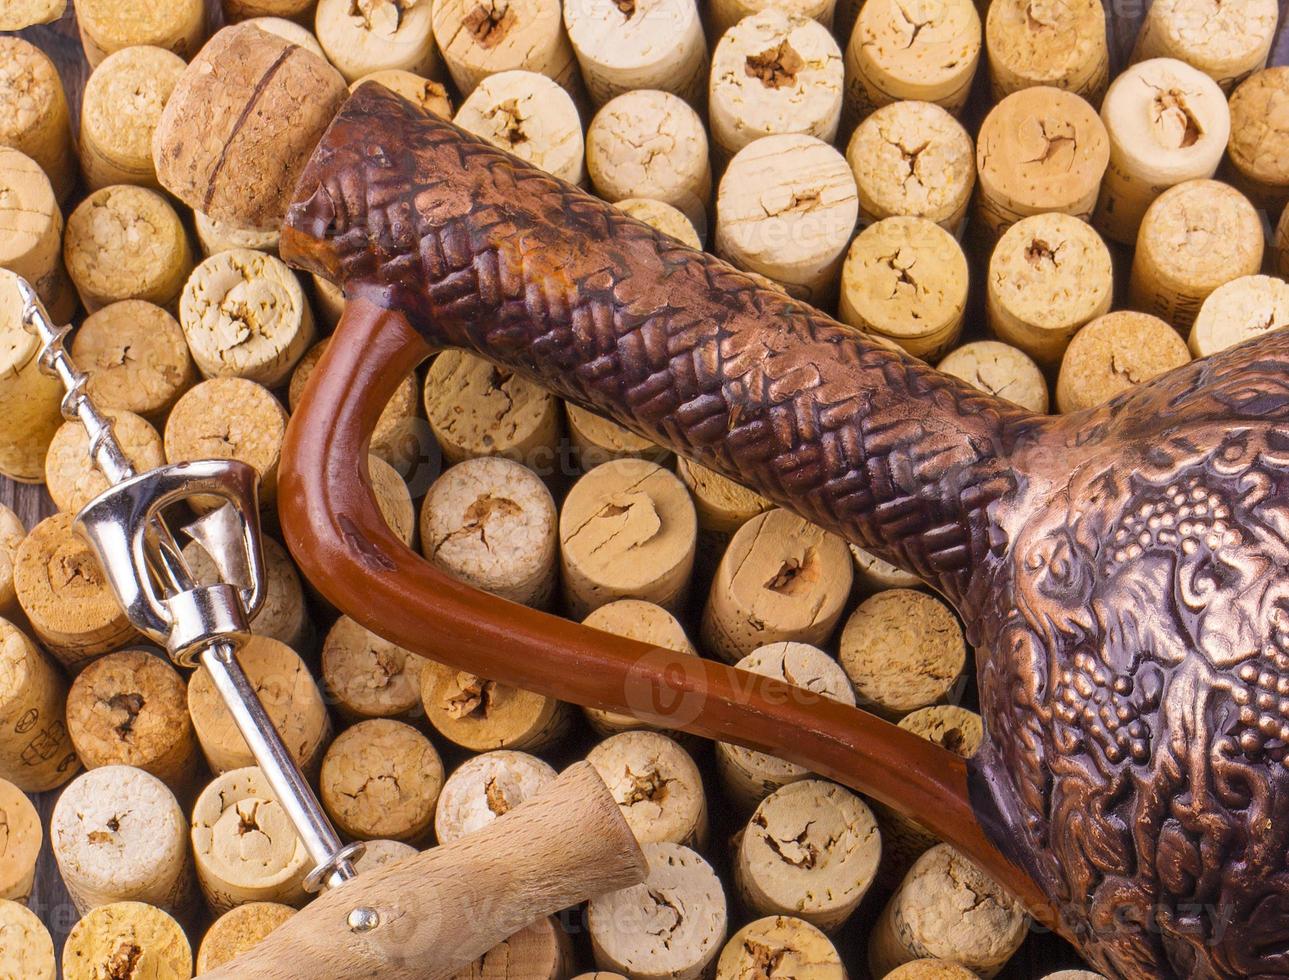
[(198, 625)]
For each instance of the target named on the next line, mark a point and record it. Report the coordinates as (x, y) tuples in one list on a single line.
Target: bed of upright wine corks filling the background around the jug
[(987, 186)]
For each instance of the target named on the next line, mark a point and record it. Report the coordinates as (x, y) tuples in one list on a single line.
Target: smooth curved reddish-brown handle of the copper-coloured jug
[(344, 546)]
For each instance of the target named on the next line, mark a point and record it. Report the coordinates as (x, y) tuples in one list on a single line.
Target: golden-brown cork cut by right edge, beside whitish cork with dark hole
[(1260, 139)]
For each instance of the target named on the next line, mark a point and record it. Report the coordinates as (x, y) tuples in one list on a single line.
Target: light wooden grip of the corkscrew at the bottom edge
[(447, 907)]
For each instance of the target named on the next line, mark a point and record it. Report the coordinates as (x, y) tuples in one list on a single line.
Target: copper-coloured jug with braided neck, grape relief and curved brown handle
[(1121, 572)]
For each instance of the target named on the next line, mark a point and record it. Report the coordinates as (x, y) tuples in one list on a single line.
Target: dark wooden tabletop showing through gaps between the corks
[(1041, 954)]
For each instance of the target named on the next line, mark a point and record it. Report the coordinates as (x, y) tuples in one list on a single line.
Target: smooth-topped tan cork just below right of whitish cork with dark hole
[(1198, 237)]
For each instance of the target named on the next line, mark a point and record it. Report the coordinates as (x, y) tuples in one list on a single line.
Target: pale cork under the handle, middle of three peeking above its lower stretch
[(750, 777)]
